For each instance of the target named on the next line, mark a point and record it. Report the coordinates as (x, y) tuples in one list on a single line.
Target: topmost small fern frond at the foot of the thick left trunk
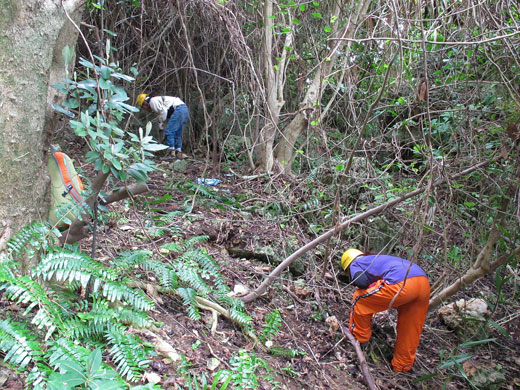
[(31, 238)]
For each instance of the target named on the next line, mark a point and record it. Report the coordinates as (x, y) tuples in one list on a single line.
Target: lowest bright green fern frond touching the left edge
[(20, 346)]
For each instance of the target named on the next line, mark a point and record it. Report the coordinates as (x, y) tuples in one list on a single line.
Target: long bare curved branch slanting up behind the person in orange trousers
[(376, 210)]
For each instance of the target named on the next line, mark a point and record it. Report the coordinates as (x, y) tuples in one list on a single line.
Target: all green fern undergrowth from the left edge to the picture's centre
[(71, 306)]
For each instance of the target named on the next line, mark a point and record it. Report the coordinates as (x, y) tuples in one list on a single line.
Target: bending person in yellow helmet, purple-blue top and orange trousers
[(387, 281)]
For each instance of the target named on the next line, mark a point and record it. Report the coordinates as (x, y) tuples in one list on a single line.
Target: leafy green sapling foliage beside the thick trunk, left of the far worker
[(96, 104)]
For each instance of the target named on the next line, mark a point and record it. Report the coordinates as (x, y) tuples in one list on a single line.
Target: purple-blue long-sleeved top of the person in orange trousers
[(365, 270)]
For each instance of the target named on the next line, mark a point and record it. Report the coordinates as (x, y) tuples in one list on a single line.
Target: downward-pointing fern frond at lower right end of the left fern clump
[(127, 353)]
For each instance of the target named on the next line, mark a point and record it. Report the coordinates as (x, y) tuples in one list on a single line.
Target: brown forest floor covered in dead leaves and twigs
[(325, 360)]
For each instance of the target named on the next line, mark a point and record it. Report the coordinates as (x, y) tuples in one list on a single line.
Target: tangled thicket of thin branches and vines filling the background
[(422, 90)]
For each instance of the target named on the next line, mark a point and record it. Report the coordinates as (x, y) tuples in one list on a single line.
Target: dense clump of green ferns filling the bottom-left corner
[(59, 321)]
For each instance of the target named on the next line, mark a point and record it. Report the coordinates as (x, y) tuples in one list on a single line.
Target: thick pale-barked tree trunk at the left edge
[(33, 32)]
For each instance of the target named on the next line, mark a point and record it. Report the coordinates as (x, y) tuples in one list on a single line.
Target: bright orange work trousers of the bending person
[(412, 306)]
